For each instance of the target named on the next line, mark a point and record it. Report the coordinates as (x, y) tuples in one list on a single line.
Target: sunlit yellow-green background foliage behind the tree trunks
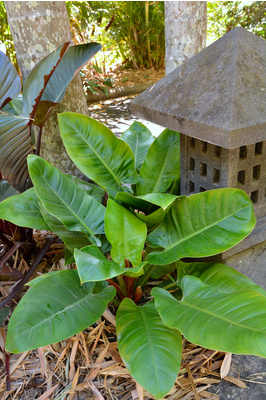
[(132, 32)]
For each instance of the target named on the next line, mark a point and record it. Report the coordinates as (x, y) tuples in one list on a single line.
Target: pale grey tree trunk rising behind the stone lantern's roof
[(185, 31)]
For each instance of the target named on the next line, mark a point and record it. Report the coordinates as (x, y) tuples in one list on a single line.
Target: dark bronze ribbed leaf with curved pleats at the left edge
[(15, 145)]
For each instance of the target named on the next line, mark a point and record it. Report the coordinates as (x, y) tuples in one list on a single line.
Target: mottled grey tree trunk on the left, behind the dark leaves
[(38, 28)]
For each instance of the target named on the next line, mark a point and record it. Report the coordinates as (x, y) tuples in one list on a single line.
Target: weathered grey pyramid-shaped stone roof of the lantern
[(218, 96)]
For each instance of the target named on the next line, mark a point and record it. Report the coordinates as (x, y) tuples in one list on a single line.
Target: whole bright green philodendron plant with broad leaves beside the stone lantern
[(144, 229)]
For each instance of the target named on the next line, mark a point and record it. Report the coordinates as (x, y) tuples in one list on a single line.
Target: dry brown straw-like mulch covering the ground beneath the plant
[(88, 365)]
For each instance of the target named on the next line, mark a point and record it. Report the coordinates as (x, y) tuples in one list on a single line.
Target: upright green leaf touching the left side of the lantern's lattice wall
[(161, 165)]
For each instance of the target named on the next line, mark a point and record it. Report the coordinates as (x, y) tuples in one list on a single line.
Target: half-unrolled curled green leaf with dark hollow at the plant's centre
[(144, 203)]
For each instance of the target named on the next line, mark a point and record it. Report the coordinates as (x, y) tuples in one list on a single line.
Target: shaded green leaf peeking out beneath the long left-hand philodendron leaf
[(71, 239)]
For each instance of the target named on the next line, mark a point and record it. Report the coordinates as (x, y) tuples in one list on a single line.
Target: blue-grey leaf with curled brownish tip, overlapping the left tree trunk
[(72, 61)]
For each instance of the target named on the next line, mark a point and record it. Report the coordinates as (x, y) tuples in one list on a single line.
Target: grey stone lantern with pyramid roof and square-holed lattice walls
[(217, 101)]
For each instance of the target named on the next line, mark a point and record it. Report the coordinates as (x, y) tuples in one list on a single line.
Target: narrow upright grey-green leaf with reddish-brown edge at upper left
[(38, 78)]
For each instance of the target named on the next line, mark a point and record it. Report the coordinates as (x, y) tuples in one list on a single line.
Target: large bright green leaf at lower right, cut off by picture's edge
[(230, 322)]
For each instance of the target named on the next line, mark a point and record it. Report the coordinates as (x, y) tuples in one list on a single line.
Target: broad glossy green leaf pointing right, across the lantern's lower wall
[(202, 225)]
